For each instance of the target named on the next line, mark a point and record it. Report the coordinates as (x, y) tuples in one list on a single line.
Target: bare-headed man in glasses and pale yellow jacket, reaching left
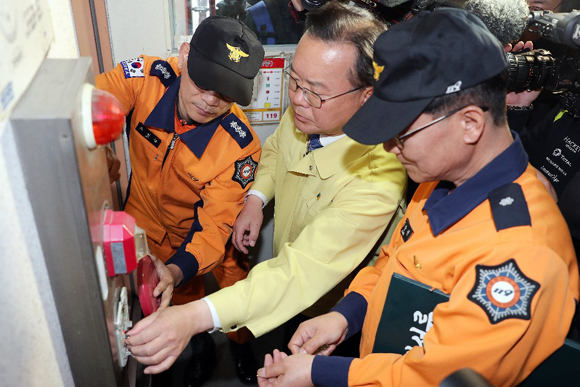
[(334, 197)]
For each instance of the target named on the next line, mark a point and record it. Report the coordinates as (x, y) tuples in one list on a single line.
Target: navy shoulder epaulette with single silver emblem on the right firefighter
[(509, 207)]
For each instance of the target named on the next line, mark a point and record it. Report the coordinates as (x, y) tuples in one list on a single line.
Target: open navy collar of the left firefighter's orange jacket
[(163, 117)]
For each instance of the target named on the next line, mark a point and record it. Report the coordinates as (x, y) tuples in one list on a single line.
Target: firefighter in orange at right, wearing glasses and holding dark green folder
[(483, 248)]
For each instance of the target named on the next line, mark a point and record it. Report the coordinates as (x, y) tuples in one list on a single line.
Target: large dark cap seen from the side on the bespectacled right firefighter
[(432, 54)]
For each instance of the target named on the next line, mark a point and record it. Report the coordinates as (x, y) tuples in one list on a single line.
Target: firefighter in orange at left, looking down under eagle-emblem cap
[(193, 152)]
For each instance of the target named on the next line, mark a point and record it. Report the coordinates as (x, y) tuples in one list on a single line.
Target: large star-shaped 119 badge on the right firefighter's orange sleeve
[(503, 291)]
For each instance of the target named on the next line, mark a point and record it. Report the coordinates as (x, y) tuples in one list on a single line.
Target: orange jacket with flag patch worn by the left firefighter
[(189, 187)]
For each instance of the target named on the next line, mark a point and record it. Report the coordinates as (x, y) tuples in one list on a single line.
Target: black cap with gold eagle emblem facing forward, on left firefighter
[(225, 56)]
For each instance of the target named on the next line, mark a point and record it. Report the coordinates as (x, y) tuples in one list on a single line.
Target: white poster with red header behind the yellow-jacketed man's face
[(266, 105)]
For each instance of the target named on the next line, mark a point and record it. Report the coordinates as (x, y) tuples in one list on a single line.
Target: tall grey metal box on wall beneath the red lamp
[(69, 191)]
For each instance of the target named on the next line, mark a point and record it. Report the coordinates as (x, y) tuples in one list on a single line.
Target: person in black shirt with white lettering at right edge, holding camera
[(547, 123)]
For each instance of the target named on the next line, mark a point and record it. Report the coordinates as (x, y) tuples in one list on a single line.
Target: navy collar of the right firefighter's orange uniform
[(446, 206)]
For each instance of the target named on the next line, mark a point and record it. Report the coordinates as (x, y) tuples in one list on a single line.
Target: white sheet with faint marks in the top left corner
[(25, 37)]
